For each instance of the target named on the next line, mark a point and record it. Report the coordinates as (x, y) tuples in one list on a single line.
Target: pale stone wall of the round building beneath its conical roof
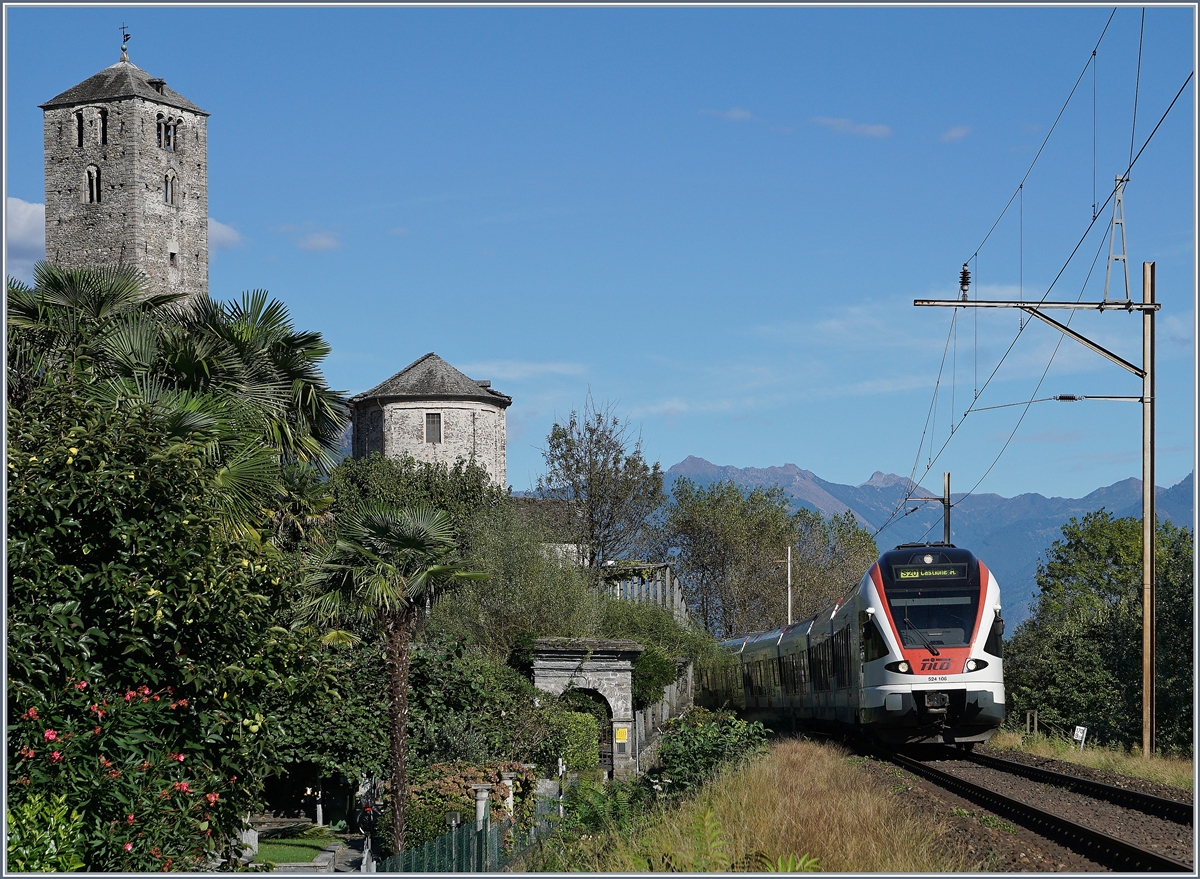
[(470, 429)]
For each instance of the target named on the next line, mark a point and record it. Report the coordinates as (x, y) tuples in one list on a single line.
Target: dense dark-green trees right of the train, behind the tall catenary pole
[(1078, 659)]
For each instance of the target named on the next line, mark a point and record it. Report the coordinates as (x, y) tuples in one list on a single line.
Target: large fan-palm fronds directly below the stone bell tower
[(235, 379)]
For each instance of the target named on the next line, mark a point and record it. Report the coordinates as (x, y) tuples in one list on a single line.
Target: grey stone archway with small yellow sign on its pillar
[(603, 666)]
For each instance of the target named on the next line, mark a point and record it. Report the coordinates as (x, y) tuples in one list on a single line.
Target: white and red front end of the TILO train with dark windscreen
[(932, 645)]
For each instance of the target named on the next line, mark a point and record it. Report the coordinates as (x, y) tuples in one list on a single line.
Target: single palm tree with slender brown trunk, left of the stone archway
[(386, 569)]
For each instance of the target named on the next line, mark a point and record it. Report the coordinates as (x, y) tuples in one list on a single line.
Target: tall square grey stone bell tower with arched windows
[(128, 180)]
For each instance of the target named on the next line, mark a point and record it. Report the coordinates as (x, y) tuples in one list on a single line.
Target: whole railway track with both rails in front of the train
[(1103, 848)]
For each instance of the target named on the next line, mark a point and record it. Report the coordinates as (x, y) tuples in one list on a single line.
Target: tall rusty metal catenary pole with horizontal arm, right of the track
[(1147, 373)]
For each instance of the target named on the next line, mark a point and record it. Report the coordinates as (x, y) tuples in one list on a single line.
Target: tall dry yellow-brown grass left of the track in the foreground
[(802, 799)]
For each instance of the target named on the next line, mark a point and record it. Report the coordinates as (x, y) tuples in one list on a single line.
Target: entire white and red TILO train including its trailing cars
[(911, 655)]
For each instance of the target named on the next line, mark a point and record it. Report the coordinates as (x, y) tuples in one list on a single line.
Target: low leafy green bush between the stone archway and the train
[(698, 743)]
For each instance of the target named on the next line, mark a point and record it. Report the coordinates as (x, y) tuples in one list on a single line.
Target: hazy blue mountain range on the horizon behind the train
[(1010, 534)]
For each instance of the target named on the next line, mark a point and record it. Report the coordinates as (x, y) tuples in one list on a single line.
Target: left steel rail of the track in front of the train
[(1109, 851)]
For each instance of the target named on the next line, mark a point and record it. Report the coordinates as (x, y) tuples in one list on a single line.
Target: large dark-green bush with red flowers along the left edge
[(140, 639)]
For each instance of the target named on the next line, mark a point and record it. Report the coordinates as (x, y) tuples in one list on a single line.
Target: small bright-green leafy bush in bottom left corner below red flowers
[(43, 838)]
